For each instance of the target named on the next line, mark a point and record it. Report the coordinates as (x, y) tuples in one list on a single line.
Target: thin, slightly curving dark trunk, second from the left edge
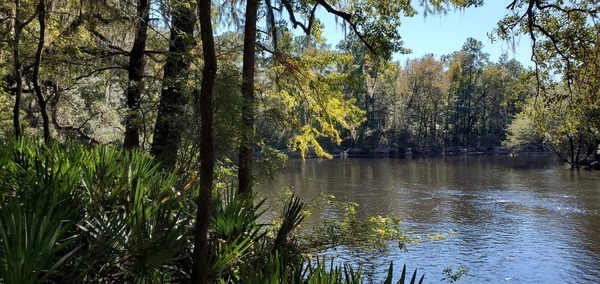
[(41, 10)]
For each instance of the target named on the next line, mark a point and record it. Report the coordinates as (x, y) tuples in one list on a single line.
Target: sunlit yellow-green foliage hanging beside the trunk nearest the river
[(309, 99)]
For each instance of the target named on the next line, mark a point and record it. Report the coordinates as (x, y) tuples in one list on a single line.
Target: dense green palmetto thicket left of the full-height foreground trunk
[(73, 214)]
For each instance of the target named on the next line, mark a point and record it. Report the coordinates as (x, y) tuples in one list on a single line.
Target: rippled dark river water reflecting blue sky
[(525, 219)]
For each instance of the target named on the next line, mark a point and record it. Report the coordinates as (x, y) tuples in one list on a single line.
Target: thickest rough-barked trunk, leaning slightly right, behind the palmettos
[(169, 121)]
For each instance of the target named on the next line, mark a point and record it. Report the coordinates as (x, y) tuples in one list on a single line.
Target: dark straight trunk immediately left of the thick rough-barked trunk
[(136, 74)]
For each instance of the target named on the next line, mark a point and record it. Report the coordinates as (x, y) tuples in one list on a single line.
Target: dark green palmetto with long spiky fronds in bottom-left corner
[(35, 242)]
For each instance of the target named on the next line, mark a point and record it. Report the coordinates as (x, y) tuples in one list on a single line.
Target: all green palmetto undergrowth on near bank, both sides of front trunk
[(75, 214)]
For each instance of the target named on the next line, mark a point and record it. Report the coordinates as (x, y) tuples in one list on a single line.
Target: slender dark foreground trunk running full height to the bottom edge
[(204, 103)]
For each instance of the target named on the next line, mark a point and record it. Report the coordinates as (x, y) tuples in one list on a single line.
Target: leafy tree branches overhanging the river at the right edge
[(566, 47)]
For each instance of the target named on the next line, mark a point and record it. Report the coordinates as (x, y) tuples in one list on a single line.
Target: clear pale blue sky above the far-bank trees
[(444, 34)]
